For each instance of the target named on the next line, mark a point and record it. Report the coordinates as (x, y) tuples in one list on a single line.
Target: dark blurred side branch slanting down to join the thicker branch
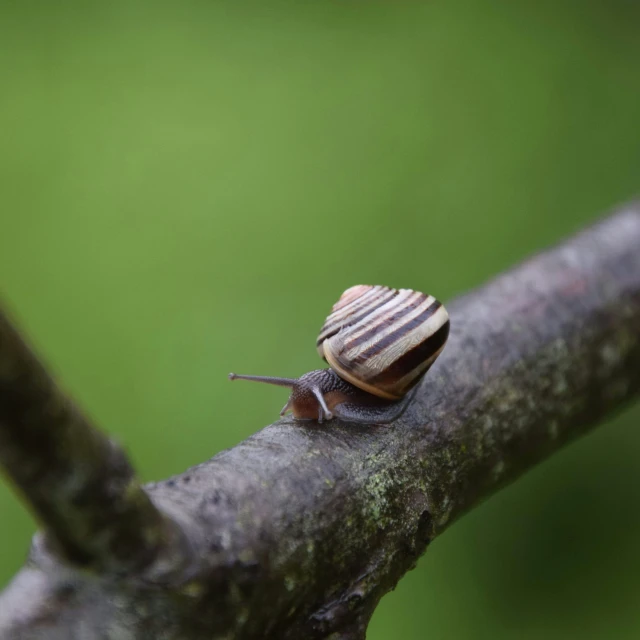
[(79, 483)]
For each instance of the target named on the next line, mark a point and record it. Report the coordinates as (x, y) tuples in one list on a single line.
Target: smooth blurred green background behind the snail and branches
[(186, 188)]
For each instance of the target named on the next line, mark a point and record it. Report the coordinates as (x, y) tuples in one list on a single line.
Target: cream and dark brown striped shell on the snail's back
[(383, 340)]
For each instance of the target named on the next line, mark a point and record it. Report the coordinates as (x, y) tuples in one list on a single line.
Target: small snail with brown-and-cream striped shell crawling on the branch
[(379, 342)]
